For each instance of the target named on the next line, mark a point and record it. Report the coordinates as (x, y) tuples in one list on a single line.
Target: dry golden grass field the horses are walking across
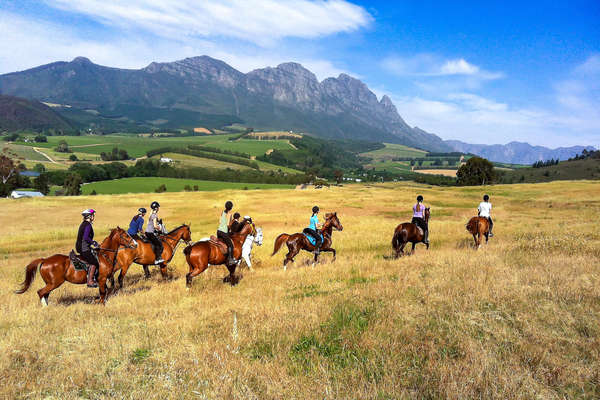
[(518, 319)]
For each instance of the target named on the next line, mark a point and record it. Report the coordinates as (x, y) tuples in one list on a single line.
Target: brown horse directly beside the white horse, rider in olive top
[(204, 253)]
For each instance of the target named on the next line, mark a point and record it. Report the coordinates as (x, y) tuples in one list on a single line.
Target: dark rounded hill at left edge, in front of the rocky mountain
[(17, 114)]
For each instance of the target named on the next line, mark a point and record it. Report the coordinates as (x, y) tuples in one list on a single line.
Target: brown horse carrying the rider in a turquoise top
[(299, 241)]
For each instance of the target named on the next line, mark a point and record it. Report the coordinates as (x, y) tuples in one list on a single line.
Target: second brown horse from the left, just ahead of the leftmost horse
[(143, 254)]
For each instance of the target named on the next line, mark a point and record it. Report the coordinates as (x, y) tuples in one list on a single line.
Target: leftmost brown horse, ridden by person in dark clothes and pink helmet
[(57, 269)]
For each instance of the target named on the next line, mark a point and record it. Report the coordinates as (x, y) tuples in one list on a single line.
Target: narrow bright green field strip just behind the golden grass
[(148, 185)]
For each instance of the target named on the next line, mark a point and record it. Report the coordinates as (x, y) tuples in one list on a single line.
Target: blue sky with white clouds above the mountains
[(482, 72)]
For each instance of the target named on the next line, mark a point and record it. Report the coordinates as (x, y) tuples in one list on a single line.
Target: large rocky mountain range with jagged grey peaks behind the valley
[(202, 91)]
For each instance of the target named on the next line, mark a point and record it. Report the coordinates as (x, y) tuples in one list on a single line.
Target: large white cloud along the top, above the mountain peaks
[(258, 21)]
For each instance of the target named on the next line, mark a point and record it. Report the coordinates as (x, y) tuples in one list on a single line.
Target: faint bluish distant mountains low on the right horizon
[(517, 152)]
